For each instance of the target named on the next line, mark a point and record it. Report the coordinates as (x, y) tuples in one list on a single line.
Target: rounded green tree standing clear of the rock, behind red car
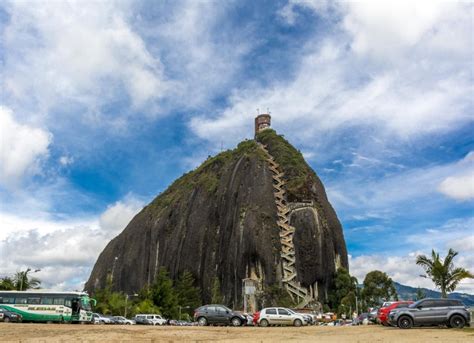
[(378, 287)]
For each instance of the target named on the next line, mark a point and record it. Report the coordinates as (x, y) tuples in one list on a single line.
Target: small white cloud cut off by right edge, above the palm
[(461, 185)]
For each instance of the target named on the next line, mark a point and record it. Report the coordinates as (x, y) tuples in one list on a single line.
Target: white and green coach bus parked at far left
[(48, 306)]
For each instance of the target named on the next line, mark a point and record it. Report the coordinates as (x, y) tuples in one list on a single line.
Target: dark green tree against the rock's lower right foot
[(342, 297)]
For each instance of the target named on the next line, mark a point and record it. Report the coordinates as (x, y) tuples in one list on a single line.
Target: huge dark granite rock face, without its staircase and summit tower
[(220, 221)]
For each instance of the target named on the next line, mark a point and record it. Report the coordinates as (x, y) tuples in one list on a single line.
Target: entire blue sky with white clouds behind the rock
[(103, 105)]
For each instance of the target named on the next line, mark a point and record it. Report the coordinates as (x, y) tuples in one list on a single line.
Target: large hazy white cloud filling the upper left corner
[(80, 54)]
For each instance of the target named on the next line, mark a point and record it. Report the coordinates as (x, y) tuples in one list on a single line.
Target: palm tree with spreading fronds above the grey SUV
[(444, 275)]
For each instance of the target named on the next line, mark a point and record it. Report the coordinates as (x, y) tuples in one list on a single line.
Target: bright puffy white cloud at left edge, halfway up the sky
[(22, 147)]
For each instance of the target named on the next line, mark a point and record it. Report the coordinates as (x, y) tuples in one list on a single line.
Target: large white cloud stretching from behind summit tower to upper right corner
[(419, 91)]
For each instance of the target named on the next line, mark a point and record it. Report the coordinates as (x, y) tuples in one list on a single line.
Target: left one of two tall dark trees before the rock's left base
[(163, 294)]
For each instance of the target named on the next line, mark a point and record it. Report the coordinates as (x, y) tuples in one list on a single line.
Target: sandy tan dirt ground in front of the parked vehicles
[(136, 333)]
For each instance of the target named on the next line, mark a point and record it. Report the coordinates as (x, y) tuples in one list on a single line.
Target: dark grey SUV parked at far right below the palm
[(428, 312)]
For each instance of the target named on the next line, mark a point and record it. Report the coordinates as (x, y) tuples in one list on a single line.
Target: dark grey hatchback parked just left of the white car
[(218, 314)]
